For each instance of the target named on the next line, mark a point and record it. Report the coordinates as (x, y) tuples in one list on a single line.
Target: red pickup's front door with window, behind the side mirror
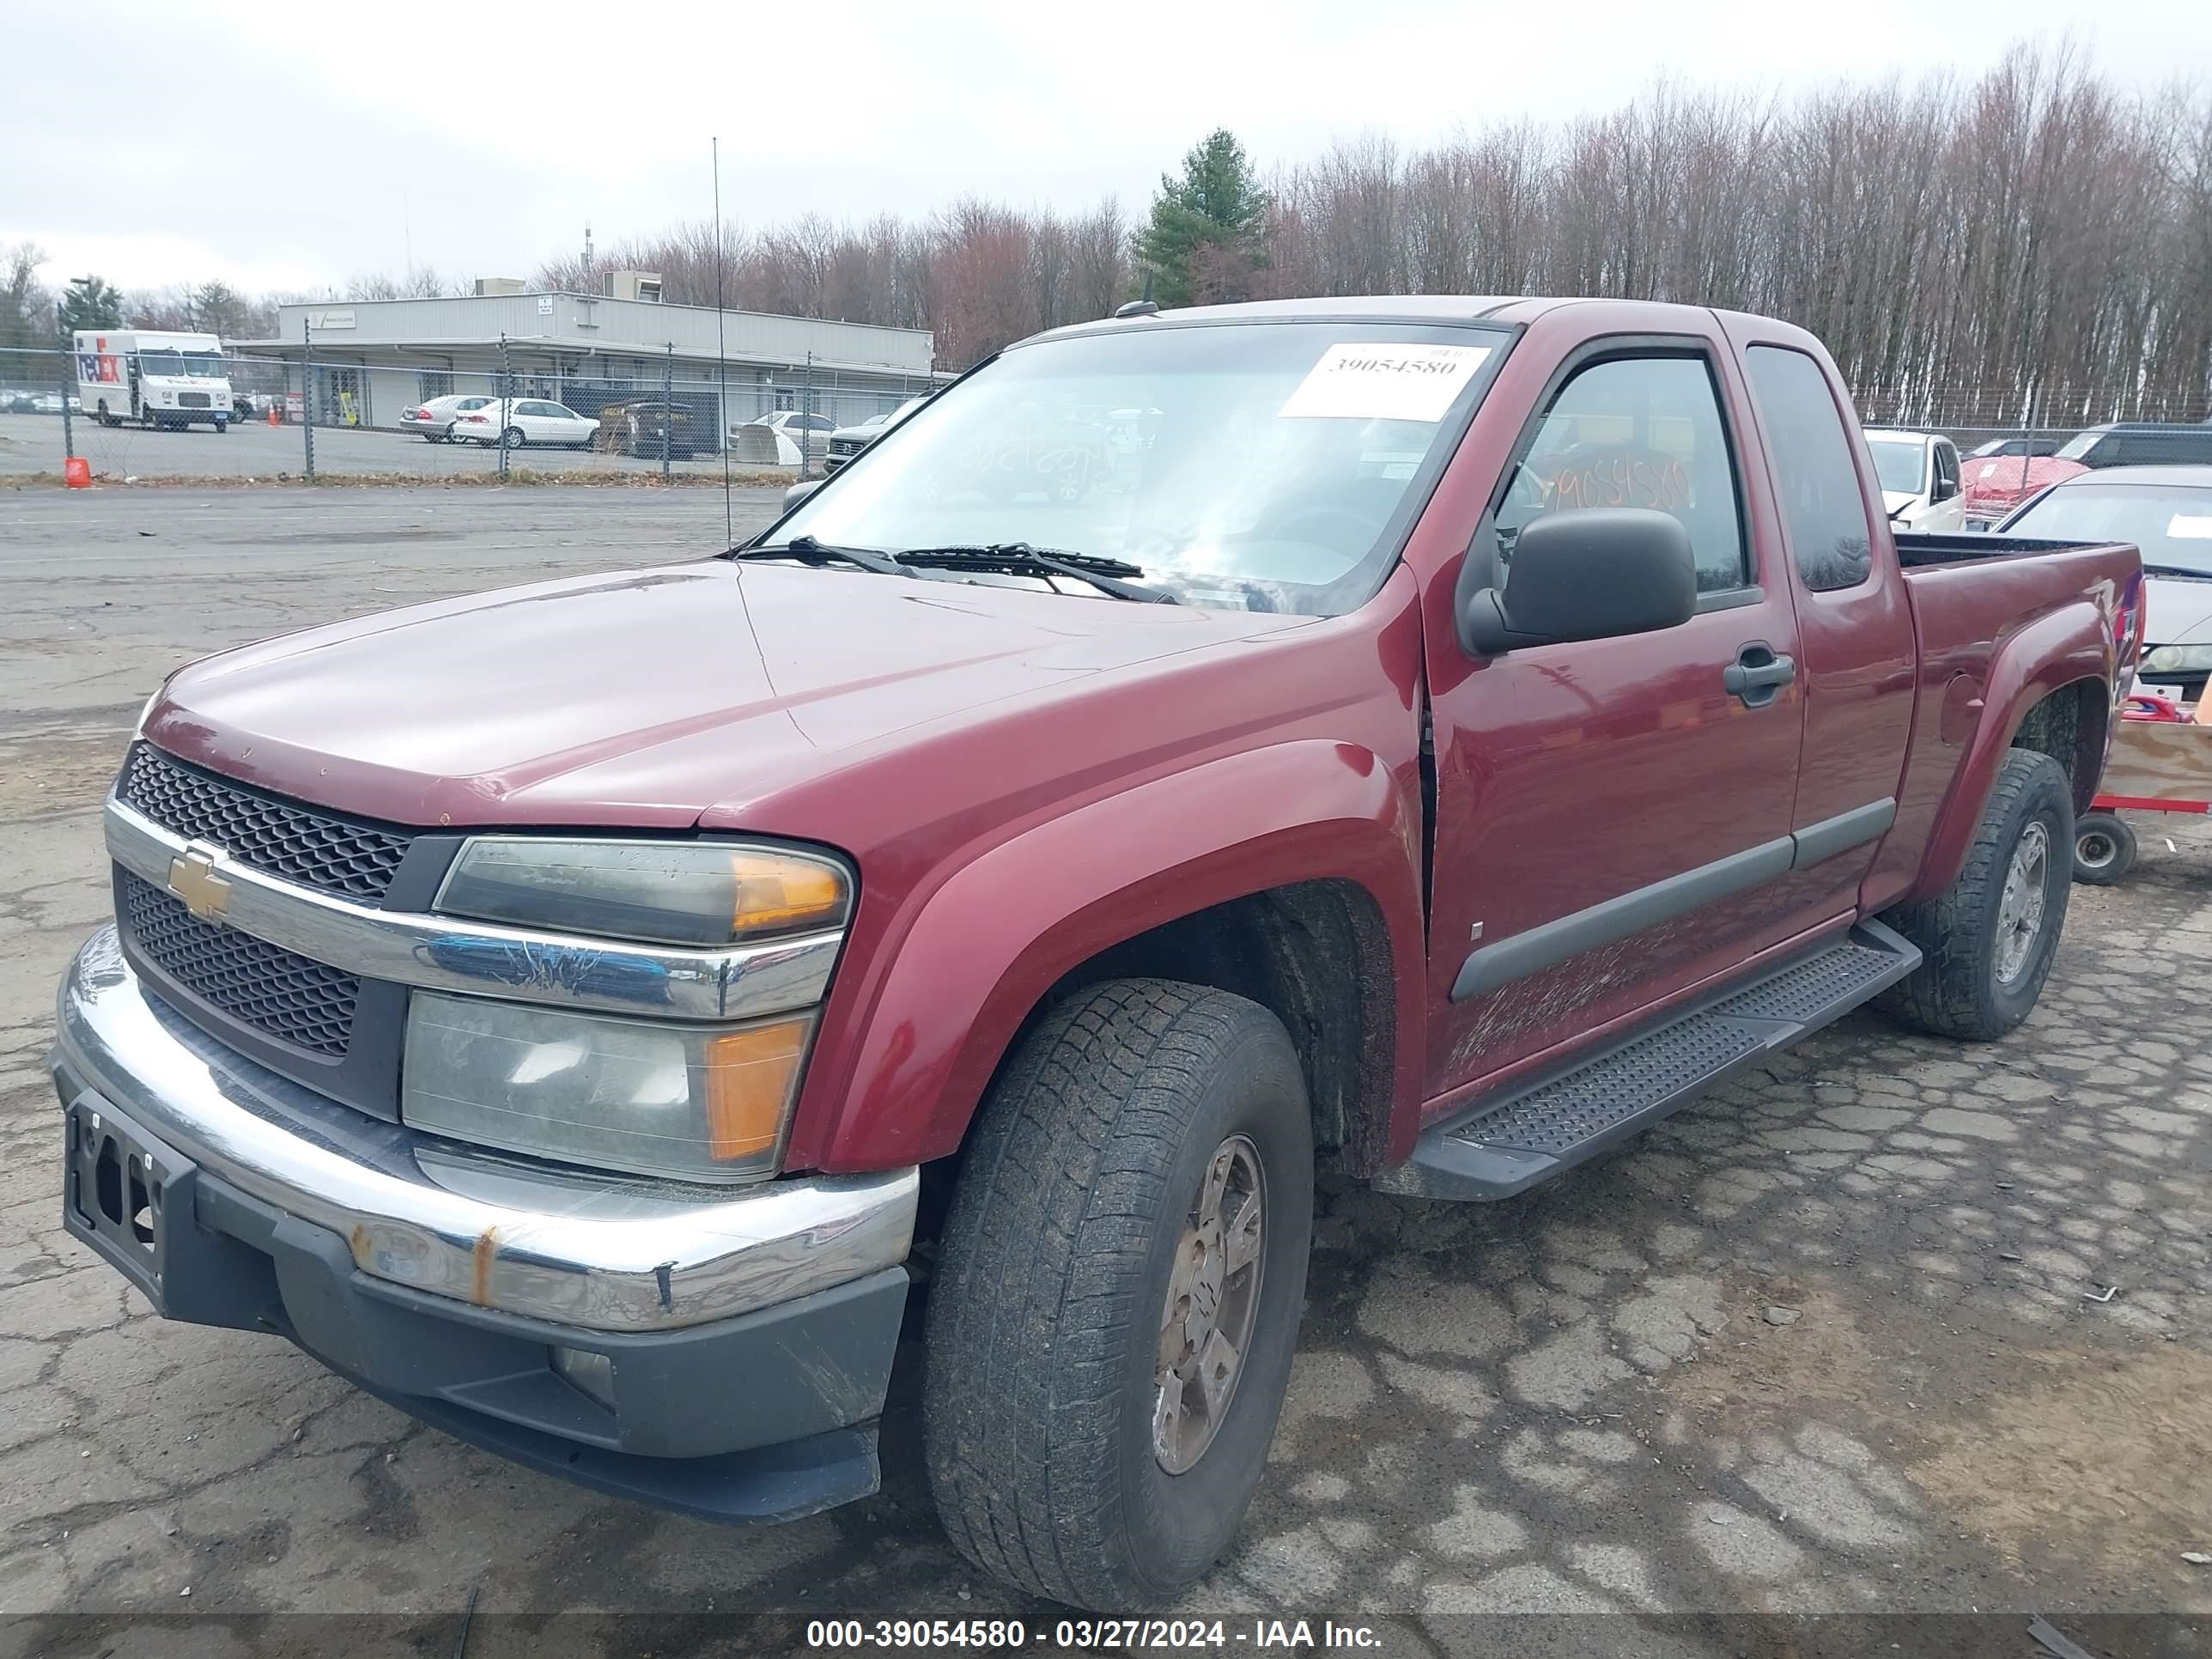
[(1611, 820)]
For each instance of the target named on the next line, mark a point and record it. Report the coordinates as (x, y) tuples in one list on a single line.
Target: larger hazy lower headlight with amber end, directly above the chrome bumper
[(689, 1103)]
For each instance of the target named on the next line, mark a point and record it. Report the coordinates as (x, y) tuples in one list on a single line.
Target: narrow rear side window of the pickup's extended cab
[(1824, 505)]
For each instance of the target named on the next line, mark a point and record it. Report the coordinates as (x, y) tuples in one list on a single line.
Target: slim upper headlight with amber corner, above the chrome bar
[(669, 893)]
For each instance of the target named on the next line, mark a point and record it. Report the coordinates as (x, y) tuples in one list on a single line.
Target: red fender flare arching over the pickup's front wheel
[(952, 979)]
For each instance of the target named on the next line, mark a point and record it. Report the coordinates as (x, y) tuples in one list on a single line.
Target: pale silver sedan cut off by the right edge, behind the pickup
[(2169, 514)]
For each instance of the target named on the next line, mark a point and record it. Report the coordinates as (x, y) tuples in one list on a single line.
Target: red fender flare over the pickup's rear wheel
[(2058, 649)]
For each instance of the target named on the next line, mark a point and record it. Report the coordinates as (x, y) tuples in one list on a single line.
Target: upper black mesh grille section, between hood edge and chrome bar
[(298, 844)]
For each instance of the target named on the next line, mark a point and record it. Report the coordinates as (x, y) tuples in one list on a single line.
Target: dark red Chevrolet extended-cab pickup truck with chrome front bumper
[(1417, 738)]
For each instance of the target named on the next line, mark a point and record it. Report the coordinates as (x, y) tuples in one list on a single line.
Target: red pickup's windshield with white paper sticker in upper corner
[(1246, 466)]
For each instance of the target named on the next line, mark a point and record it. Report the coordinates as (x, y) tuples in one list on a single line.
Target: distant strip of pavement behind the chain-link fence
[(251, 450)]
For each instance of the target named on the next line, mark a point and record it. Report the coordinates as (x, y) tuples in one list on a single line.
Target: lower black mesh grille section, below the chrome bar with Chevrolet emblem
[(262, 985)]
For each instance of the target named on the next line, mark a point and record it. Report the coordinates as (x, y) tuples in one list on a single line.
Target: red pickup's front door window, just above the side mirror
[(1636, 432)]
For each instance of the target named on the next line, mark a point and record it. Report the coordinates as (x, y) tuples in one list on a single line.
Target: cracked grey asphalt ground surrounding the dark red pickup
[(1892, 1328)]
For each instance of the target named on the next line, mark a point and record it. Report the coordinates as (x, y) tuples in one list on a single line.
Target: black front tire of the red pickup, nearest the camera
[(1047, 1313)]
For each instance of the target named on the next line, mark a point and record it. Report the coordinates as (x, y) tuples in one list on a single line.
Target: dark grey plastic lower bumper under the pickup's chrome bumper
[(753, 1419)]
